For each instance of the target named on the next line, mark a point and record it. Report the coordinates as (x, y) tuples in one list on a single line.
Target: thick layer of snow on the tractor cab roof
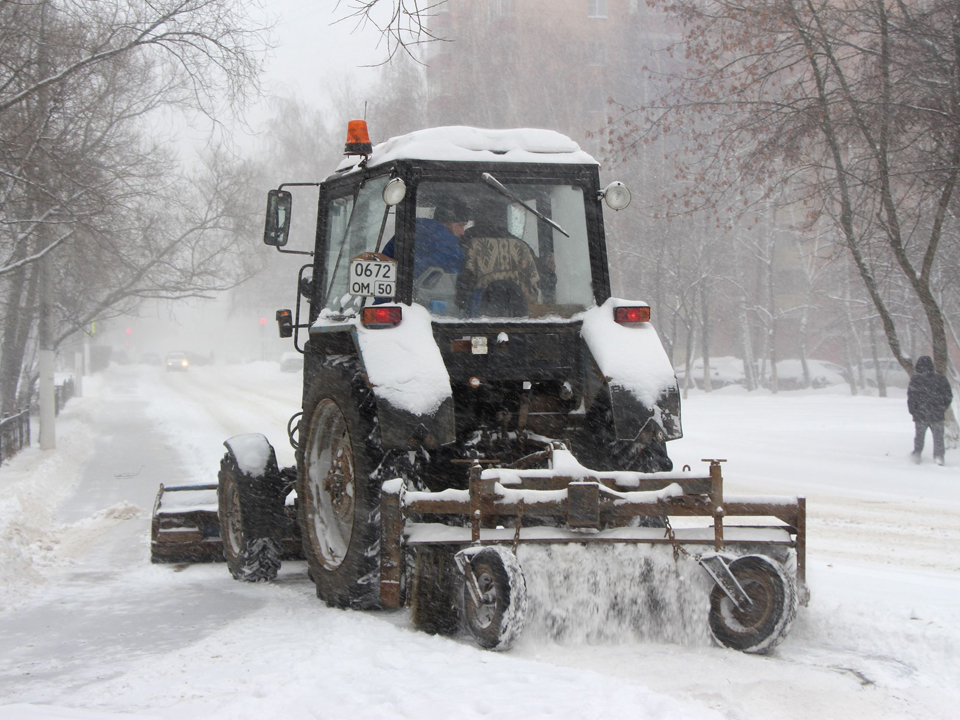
[(468, 144)]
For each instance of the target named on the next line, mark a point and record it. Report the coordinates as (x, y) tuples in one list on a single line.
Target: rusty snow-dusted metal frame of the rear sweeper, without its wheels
[(594, 508)]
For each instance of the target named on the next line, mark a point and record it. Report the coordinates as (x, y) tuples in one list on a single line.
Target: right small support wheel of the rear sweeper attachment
[(762, 626)]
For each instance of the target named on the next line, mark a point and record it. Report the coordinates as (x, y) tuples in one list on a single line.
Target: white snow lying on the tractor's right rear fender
[(631, 356)]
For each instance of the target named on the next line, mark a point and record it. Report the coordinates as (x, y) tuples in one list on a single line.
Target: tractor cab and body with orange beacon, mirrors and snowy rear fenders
[(491, 243)]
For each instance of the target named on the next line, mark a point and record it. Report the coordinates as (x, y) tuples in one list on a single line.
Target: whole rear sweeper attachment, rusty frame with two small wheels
[(469, 574)]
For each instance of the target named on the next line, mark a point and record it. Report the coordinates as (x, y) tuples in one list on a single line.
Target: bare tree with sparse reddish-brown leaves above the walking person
[(853, 107)]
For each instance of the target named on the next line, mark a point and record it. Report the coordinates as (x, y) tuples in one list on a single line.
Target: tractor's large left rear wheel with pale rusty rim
[(338, 490)]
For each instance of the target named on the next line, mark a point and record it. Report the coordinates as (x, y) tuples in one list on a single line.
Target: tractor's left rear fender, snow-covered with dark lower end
[(405, 370)]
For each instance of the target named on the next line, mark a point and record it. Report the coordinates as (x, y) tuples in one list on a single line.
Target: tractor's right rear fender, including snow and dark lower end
[(639, 379)]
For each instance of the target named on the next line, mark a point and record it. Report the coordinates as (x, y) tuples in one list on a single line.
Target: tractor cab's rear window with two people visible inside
[(478, 252)]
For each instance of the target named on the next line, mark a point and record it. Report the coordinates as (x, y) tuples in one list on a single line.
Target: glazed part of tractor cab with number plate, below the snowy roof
[(468, 242)]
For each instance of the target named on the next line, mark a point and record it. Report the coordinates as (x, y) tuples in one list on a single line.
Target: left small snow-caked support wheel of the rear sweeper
[(498, 621)]
